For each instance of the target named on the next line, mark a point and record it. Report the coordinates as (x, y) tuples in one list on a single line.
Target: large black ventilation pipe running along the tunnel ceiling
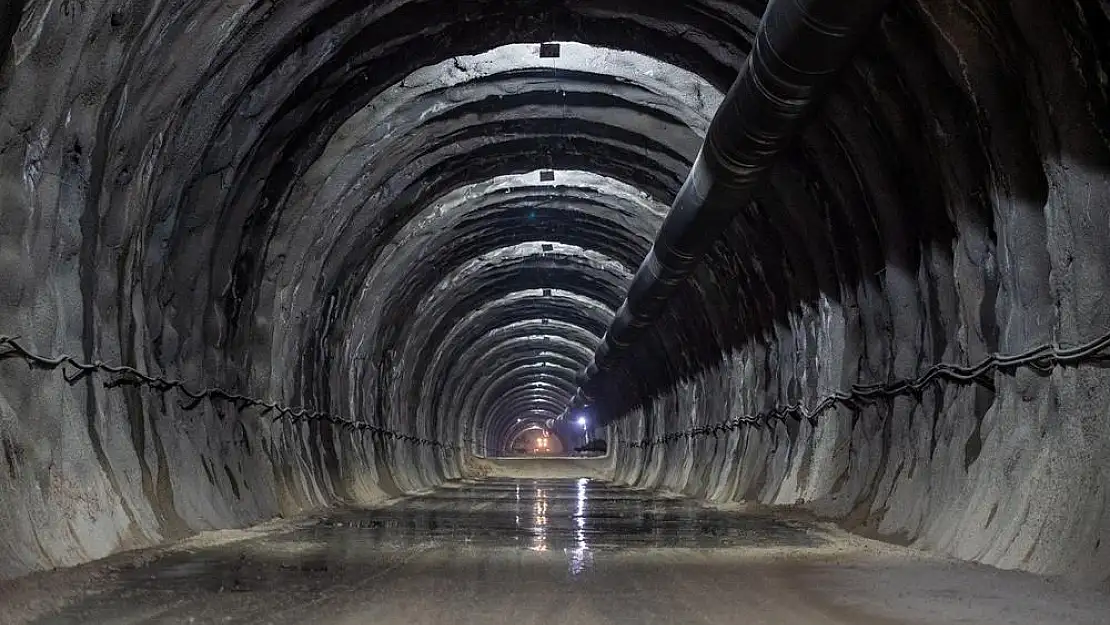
[(800, 48)]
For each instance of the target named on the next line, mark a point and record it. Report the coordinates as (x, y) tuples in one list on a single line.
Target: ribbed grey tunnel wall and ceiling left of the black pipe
[(319, 205)]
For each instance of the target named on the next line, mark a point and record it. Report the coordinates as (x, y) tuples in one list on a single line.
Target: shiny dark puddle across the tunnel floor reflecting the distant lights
[(562, 515)]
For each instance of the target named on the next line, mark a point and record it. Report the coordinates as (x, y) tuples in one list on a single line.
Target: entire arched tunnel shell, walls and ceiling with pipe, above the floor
[(843, 261)]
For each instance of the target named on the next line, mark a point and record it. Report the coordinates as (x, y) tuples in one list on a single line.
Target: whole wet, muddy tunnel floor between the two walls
[(522, 551)]
